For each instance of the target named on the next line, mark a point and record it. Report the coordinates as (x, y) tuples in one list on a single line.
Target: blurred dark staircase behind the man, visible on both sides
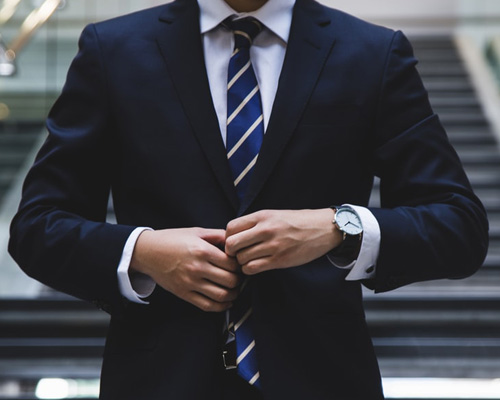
[(448, 329)]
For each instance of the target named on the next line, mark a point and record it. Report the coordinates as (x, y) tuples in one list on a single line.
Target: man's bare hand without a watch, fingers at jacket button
[(189, 263)]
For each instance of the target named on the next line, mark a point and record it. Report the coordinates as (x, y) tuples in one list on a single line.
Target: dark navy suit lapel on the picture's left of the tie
[(180, 42)]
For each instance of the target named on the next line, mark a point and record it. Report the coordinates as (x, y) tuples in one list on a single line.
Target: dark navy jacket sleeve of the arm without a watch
[(59, 235)]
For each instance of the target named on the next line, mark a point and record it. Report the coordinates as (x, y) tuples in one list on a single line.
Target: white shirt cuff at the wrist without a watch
[(134, 287)]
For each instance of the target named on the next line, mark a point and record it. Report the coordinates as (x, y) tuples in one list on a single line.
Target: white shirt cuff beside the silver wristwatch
[(365, 265)]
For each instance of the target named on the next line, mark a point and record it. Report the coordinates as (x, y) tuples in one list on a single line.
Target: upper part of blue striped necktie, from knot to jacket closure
[(245, 126)]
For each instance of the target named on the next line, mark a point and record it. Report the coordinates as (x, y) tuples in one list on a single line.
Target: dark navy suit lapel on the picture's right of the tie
[(310, 43)]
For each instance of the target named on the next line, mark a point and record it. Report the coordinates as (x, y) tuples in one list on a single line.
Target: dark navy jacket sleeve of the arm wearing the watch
[(432, 225)]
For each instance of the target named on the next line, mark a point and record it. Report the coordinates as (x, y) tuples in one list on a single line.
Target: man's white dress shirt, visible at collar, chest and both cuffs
[(267, 54)]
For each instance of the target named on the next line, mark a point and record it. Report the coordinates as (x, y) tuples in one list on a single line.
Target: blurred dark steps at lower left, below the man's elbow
[(57, 337)]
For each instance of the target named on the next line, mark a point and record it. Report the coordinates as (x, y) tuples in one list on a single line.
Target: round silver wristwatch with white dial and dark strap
[(349, 224)]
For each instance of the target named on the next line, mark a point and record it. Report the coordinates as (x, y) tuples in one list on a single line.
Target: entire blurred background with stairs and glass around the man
[(436, 340)]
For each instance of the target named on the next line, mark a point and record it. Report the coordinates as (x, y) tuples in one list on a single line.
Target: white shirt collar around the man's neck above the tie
[(276, 15)]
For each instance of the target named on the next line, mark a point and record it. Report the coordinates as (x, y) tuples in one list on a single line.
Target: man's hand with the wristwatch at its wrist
[(271, 239)]
